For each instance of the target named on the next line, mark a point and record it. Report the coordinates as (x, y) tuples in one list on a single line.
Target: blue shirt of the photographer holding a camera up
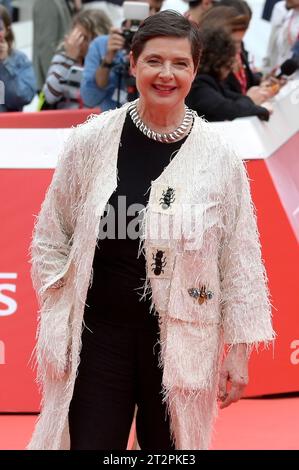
[(92, 94)]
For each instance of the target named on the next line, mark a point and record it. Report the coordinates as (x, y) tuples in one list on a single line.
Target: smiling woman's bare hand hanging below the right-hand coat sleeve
[(234, 369)]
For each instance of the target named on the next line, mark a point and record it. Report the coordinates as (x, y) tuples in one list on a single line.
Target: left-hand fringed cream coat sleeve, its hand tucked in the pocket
[(53, 232)]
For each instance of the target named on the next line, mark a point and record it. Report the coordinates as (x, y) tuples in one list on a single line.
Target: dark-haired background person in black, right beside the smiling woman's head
[(209, 95)]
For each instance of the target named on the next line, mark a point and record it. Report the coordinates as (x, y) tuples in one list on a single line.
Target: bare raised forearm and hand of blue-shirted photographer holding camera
[(115, 43)]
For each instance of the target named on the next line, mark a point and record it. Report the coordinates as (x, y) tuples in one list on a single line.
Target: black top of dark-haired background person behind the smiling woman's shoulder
[(213, 100)]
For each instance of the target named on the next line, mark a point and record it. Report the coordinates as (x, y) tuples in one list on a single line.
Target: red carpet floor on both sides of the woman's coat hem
[(249, 424)]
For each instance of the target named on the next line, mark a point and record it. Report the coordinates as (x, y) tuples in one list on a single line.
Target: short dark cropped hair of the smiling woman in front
[(168, 23)]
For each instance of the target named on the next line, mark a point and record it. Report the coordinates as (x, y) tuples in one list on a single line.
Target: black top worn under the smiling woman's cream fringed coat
[(117, 271)]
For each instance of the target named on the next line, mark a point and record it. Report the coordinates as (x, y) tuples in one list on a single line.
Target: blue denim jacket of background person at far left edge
[(17, 82)]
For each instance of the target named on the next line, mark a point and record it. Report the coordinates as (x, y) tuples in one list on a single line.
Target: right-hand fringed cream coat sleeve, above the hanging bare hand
[(246, 310)]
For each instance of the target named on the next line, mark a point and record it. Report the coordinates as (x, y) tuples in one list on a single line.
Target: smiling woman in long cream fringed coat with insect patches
[(200, 258)]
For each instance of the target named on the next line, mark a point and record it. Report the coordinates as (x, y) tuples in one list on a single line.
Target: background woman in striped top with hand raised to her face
[(62, 87)]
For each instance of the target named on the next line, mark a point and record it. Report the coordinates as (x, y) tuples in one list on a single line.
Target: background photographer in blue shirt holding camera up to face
[(106, 75)]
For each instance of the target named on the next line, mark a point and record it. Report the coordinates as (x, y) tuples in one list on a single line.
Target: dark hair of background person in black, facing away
[(218, 50)]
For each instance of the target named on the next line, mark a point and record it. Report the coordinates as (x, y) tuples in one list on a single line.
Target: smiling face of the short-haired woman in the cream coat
[(164, 71)]
